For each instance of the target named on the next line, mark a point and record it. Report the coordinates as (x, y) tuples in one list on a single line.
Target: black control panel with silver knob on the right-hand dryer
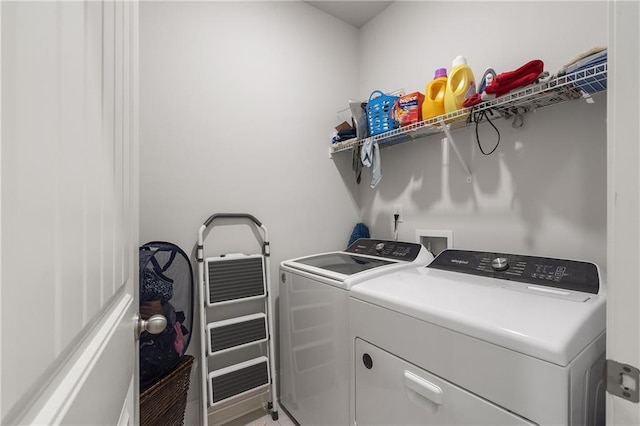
[(543, 271)]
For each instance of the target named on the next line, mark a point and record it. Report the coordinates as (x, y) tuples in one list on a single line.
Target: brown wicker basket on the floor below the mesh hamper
[(164, 402)]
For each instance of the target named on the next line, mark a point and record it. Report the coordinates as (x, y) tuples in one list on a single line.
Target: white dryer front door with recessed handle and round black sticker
[(389, 391)]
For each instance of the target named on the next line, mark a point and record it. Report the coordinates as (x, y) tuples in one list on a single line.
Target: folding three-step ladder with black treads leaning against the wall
[(227, 280)]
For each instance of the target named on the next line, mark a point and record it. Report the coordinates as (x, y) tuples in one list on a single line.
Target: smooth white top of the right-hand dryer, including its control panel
[(543, 321)]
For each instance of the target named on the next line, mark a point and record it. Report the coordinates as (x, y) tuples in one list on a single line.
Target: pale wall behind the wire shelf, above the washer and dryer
[(544, 189)]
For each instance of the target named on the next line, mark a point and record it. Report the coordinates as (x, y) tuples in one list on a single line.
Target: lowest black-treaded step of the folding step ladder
[(238, 379)]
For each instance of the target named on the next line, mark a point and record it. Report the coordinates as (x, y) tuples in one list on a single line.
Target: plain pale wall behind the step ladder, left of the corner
[(237, 104)]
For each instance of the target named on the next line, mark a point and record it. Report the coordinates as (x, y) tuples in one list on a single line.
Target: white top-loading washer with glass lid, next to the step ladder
[(314, 324)]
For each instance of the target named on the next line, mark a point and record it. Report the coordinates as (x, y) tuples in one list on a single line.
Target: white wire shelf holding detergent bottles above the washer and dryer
[(562, 88)]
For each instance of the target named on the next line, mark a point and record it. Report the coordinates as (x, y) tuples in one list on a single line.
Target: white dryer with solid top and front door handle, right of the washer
[(480, 338)]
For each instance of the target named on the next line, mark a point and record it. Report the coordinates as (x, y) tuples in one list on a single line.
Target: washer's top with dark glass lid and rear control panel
[(364, 259)]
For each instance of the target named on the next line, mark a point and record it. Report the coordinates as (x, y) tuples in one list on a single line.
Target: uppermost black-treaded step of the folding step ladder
[(233, 279)]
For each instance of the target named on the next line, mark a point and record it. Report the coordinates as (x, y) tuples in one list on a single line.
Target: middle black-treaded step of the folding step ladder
[(237, 332)]
